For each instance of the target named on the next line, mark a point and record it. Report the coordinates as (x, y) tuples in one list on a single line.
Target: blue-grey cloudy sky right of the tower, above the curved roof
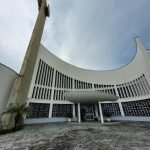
[(97, 34)]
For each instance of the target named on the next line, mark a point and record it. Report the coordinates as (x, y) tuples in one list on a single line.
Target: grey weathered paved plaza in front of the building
[(79, 136)]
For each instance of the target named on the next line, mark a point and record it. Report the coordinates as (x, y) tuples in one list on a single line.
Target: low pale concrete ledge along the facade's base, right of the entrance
[(131, 118)]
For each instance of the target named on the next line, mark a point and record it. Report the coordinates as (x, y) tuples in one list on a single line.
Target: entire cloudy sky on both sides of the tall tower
[(90, 34)]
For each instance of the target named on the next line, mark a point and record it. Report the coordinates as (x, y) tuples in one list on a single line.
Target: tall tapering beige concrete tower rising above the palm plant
[(21, 86)]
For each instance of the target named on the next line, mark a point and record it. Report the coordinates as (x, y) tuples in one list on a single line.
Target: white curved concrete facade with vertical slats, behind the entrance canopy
[(52, 77)]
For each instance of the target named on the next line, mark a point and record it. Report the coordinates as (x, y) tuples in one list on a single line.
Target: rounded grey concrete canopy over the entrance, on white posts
[(89, 96)]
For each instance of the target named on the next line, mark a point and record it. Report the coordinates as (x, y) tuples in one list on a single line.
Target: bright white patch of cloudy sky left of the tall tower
[(17, 21)]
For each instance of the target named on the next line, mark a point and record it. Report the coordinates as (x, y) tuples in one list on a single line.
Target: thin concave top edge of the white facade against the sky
[(99, 70)]
